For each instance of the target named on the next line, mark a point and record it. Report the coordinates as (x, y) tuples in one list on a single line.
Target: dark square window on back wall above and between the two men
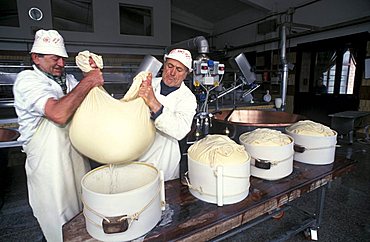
[(135, 20)]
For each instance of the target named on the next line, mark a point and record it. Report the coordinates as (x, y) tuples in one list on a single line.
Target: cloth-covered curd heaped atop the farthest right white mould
[(308, 127)]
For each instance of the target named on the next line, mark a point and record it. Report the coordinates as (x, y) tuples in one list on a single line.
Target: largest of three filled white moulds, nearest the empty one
[(221, 185)]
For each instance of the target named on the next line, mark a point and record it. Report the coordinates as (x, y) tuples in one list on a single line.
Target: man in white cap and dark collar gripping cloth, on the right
[(173, 107)]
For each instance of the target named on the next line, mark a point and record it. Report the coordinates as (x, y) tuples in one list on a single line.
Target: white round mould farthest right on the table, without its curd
[(314, 150)]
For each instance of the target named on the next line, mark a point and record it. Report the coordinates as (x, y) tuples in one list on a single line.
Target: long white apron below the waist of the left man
[(54, 171)]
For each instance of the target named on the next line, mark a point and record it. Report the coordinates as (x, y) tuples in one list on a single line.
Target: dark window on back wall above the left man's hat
[(72, 15)]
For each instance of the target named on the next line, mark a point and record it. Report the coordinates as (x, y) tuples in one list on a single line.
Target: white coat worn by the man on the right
[(172, 125)]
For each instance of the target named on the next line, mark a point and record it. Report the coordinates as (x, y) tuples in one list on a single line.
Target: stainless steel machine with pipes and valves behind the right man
[(208, 76)]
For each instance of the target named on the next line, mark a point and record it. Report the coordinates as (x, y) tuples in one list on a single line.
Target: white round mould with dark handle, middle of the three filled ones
[(273, 162)]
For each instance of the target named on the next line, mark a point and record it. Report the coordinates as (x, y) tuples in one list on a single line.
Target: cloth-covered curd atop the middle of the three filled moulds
[(265, 137)]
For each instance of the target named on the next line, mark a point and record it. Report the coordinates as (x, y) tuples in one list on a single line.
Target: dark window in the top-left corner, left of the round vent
[(9, 13)]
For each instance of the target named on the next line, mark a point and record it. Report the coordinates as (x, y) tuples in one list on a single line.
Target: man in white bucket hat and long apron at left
[(45, 99)]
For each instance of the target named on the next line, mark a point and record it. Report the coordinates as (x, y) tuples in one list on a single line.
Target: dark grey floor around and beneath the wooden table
[(346, 216)]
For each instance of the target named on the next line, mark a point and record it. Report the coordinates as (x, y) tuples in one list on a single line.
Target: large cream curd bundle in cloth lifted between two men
[(109, 130)]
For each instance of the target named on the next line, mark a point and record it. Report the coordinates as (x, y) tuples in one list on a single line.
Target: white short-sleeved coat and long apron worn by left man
[(54, 168)]
